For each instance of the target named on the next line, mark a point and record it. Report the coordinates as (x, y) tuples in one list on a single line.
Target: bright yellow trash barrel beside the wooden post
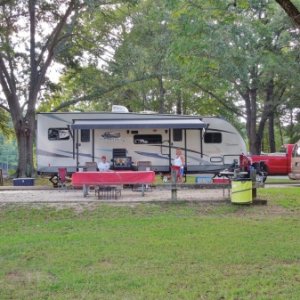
[(241, 191)]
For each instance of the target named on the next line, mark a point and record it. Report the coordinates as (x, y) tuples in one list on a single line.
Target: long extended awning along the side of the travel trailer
[(179, 123)]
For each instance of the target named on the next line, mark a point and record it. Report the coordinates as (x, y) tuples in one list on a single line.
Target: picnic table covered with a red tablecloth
[(112, 178)]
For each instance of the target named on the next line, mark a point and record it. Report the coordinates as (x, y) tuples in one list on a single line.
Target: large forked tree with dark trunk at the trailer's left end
[(35, 64)]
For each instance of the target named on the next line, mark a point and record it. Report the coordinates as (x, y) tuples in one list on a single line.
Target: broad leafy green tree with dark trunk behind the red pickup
[(241, 59)]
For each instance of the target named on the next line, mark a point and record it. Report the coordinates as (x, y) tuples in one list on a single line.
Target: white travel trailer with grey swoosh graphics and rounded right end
[(71, 140)]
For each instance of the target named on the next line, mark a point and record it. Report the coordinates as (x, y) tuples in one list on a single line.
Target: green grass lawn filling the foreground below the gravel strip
[(153, 251)]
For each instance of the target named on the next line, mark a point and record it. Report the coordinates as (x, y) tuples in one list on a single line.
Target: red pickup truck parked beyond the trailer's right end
[(275, 163)]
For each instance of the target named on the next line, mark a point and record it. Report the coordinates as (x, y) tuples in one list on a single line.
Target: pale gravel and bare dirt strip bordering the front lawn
[(39, 197)]
